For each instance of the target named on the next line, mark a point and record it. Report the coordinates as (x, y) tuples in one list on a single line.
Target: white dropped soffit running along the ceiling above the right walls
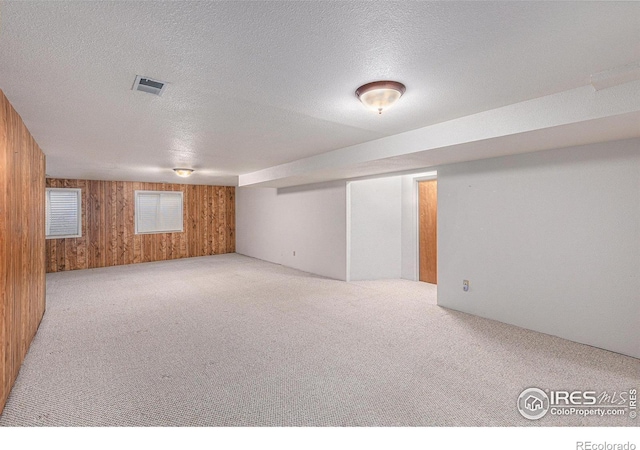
[(575, 117)]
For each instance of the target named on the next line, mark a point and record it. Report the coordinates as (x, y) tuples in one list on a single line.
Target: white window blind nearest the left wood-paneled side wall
[(63, 213)]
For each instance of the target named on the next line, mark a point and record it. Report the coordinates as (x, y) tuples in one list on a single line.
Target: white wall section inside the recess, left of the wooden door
[(375, 228)]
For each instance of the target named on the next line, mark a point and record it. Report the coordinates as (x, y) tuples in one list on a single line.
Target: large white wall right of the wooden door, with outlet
[(550, 241)]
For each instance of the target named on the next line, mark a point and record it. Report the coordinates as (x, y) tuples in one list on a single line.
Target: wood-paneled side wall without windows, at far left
[(22, 241)]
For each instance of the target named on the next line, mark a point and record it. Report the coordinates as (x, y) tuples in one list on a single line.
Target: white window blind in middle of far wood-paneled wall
[(158, 211)]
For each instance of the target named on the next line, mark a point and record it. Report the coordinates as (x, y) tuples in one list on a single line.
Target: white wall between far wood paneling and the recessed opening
[(311, 220)]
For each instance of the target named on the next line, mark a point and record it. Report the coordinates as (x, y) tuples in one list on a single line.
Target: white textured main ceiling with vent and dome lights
[(259, 84)]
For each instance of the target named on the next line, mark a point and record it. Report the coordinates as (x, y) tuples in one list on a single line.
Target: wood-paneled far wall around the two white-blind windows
[(108, 233)]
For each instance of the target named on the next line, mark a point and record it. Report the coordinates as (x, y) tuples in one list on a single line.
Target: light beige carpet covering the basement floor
[(229, 340)]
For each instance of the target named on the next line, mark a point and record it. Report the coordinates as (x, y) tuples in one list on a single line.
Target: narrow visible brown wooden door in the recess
[(428, 247)]
